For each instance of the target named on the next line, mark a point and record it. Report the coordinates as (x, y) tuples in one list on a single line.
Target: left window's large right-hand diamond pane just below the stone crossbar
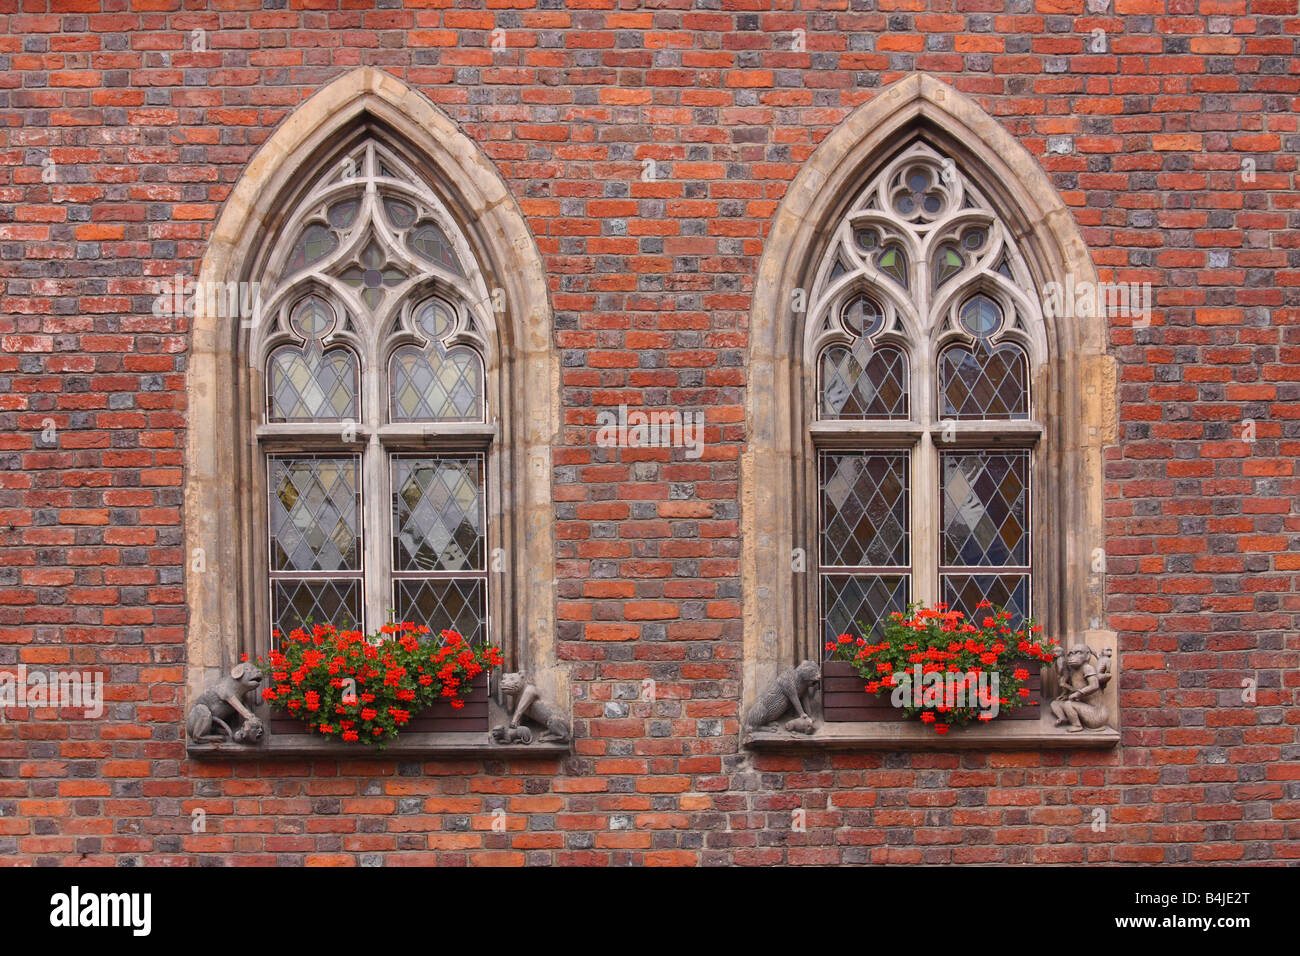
[(437, 514)]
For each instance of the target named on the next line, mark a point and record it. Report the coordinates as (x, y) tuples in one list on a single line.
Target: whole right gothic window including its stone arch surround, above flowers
[(904, 370)]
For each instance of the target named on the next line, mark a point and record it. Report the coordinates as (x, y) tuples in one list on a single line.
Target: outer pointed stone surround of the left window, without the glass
[(220, 538)]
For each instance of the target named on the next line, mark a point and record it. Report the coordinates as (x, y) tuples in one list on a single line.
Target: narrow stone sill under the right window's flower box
[(912, 736)]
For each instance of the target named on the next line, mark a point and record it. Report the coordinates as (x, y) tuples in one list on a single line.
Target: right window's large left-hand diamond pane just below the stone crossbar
[(865, 511)]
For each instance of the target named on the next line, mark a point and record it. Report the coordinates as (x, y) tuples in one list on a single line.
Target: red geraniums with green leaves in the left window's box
[(370, 686)]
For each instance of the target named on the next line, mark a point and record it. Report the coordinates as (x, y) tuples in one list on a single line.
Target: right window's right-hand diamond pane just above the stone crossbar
[(983, 384)]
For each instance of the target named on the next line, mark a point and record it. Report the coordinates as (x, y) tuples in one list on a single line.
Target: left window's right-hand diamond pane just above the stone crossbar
[(428, 387)]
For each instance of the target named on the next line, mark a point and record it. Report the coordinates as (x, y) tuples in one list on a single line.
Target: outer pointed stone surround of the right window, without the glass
[(1074, 379)]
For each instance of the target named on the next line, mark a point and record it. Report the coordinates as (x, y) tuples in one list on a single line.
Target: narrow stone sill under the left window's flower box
[(405, 747)]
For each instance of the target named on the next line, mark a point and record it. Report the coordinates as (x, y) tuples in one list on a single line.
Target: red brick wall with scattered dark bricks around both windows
[(651, 288)]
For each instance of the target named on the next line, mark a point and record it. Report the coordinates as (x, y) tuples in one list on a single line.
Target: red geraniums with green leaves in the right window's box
[(938, 641)]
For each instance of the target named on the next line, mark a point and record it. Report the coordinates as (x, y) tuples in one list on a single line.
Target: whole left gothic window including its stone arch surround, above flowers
[(401, 343)]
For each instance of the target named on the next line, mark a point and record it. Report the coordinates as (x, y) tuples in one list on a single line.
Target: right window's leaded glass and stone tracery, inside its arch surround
[(925, 331)]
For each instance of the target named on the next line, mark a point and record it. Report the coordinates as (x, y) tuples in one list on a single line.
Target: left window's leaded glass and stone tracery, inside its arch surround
[(375, 336)]
